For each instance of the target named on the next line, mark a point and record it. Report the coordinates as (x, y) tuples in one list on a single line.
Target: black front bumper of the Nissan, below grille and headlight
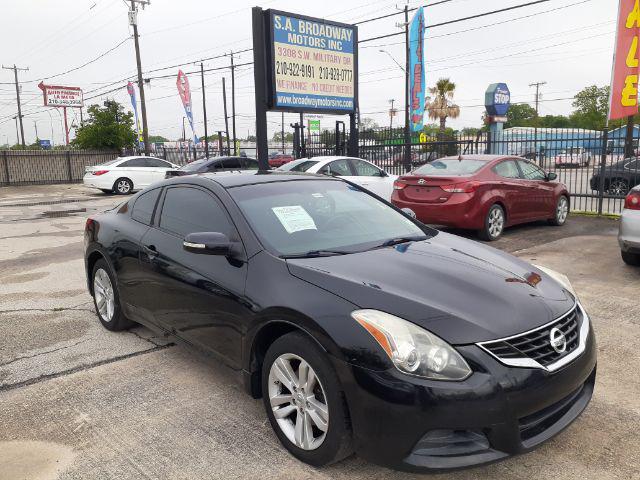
[(414, 424)]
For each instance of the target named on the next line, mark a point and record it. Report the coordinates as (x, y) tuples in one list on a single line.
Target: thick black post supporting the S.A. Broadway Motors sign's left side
[(259, 76)]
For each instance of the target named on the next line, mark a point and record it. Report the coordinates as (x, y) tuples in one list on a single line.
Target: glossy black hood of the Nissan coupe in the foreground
[(462, 291)]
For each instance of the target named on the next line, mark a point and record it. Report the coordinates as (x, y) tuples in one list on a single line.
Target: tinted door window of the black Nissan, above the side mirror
[(188, 210)]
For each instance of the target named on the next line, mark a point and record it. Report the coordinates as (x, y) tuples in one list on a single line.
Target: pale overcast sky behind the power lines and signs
[(567, 43)]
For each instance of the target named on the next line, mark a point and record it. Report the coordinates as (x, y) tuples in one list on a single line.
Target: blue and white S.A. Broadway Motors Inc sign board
[(312, 65)]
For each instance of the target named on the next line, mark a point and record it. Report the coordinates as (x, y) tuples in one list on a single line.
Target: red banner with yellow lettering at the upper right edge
[(623, 101)]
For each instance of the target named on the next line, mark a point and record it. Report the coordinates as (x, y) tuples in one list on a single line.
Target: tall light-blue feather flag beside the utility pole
[(416, 71)]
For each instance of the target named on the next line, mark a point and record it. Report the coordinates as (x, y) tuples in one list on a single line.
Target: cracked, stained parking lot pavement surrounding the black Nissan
[(79, 402)]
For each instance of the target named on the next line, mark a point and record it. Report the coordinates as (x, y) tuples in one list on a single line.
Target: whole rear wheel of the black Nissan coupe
[(104, 287)]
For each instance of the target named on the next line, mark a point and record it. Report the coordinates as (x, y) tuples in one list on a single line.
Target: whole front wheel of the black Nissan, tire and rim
[(287, 354)]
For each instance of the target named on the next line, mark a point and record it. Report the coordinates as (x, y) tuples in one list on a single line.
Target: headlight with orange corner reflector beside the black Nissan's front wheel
[(413, 350)]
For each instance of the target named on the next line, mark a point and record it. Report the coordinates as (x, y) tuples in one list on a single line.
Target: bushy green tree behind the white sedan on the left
[(107, 127)]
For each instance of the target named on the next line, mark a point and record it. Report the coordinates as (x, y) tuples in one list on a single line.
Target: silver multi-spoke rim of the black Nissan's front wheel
[(298, 401)]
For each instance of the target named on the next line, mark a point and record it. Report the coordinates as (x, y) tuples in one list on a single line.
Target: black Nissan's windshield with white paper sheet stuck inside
[(312, 217)]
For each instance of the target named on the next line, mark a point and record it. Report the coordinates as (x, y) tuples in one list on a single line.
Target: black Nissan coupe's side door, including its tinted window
[(194, 296)]
